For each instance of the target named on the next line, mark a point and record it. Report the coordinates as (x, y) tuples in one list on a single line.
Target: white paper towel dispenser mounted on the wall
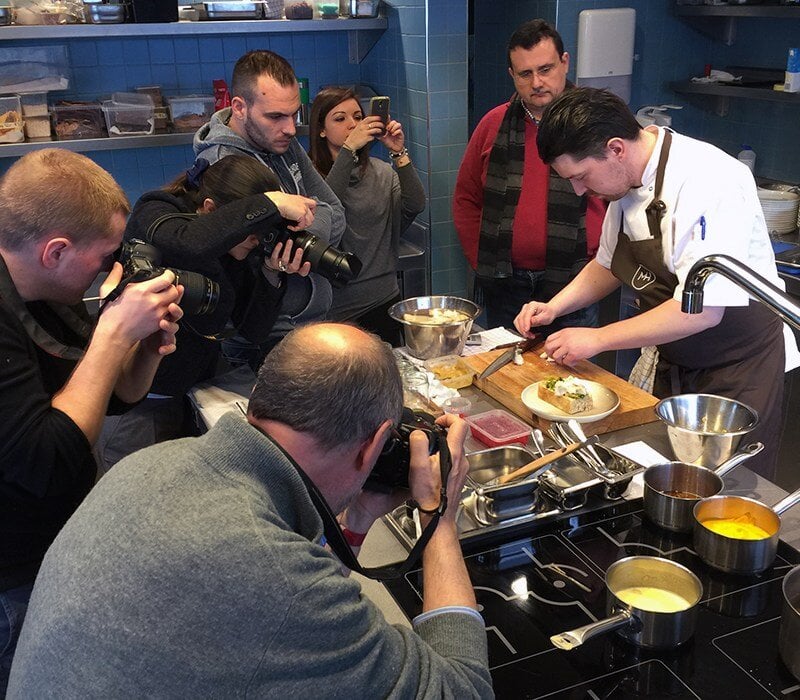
[(605, 49)]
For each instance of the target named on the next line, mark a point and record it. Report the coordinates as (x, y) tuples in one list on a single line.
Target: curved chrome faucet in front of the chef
[(767, 293)]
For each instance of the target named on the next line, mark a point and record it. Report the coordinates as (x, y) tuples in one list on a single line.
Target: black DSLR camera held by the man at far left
[(142, 261)]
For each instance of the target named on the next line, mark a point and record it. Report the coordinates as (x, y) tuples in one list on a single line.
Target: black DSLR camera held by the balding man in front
[(391, 469)]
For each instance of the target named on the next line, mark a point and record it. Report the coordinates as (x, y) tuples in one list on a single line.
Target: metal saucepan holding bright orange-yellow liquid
[(734, 518)]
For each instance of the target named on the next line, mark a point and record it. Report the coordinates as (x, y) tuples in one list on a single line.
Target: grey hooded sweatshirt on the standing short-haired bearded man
[(307, 298)]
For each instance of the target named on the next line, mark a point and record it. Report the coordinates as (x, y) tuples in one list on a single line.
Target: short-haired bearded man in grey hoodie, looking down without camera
[(261, 122)]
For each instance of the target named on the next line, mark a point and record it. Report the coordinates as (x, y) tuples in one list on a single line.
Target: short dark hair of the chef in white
[(580, 122)]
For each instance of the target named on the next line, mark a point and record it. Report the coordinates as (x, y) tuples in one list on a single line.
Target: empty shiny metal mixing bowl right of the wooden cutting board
[(705, 429)]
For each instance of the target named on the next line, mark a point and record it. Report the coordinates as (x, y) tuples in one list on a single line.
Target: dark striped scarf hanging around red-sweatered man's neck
[(566, 211)]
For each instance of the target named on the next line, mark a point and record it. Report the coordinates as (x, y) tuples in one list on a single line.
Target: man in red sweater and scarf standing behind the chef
[(523, 229)]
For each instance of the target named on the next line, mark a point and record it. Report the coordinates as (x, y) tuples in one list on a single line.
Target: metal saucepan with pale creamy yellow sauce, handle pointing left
[(651, 602)]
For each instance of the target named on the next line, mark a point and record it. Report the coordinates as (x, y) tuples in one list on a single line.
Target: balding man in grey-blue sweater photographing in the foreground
[(197, 567)]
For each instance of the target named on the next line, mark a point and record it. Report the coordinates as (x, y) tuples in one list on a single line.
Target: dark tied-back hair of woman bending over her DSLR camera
[(229, 179)]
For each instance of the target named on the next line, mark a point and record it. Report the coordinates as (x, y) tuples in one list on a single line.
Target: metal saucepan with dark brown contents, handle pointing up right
[(672, 489)]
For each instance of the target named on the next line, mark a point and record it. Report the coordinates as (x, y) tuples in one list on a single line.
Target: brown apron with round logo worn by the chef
[(741, 358)]
